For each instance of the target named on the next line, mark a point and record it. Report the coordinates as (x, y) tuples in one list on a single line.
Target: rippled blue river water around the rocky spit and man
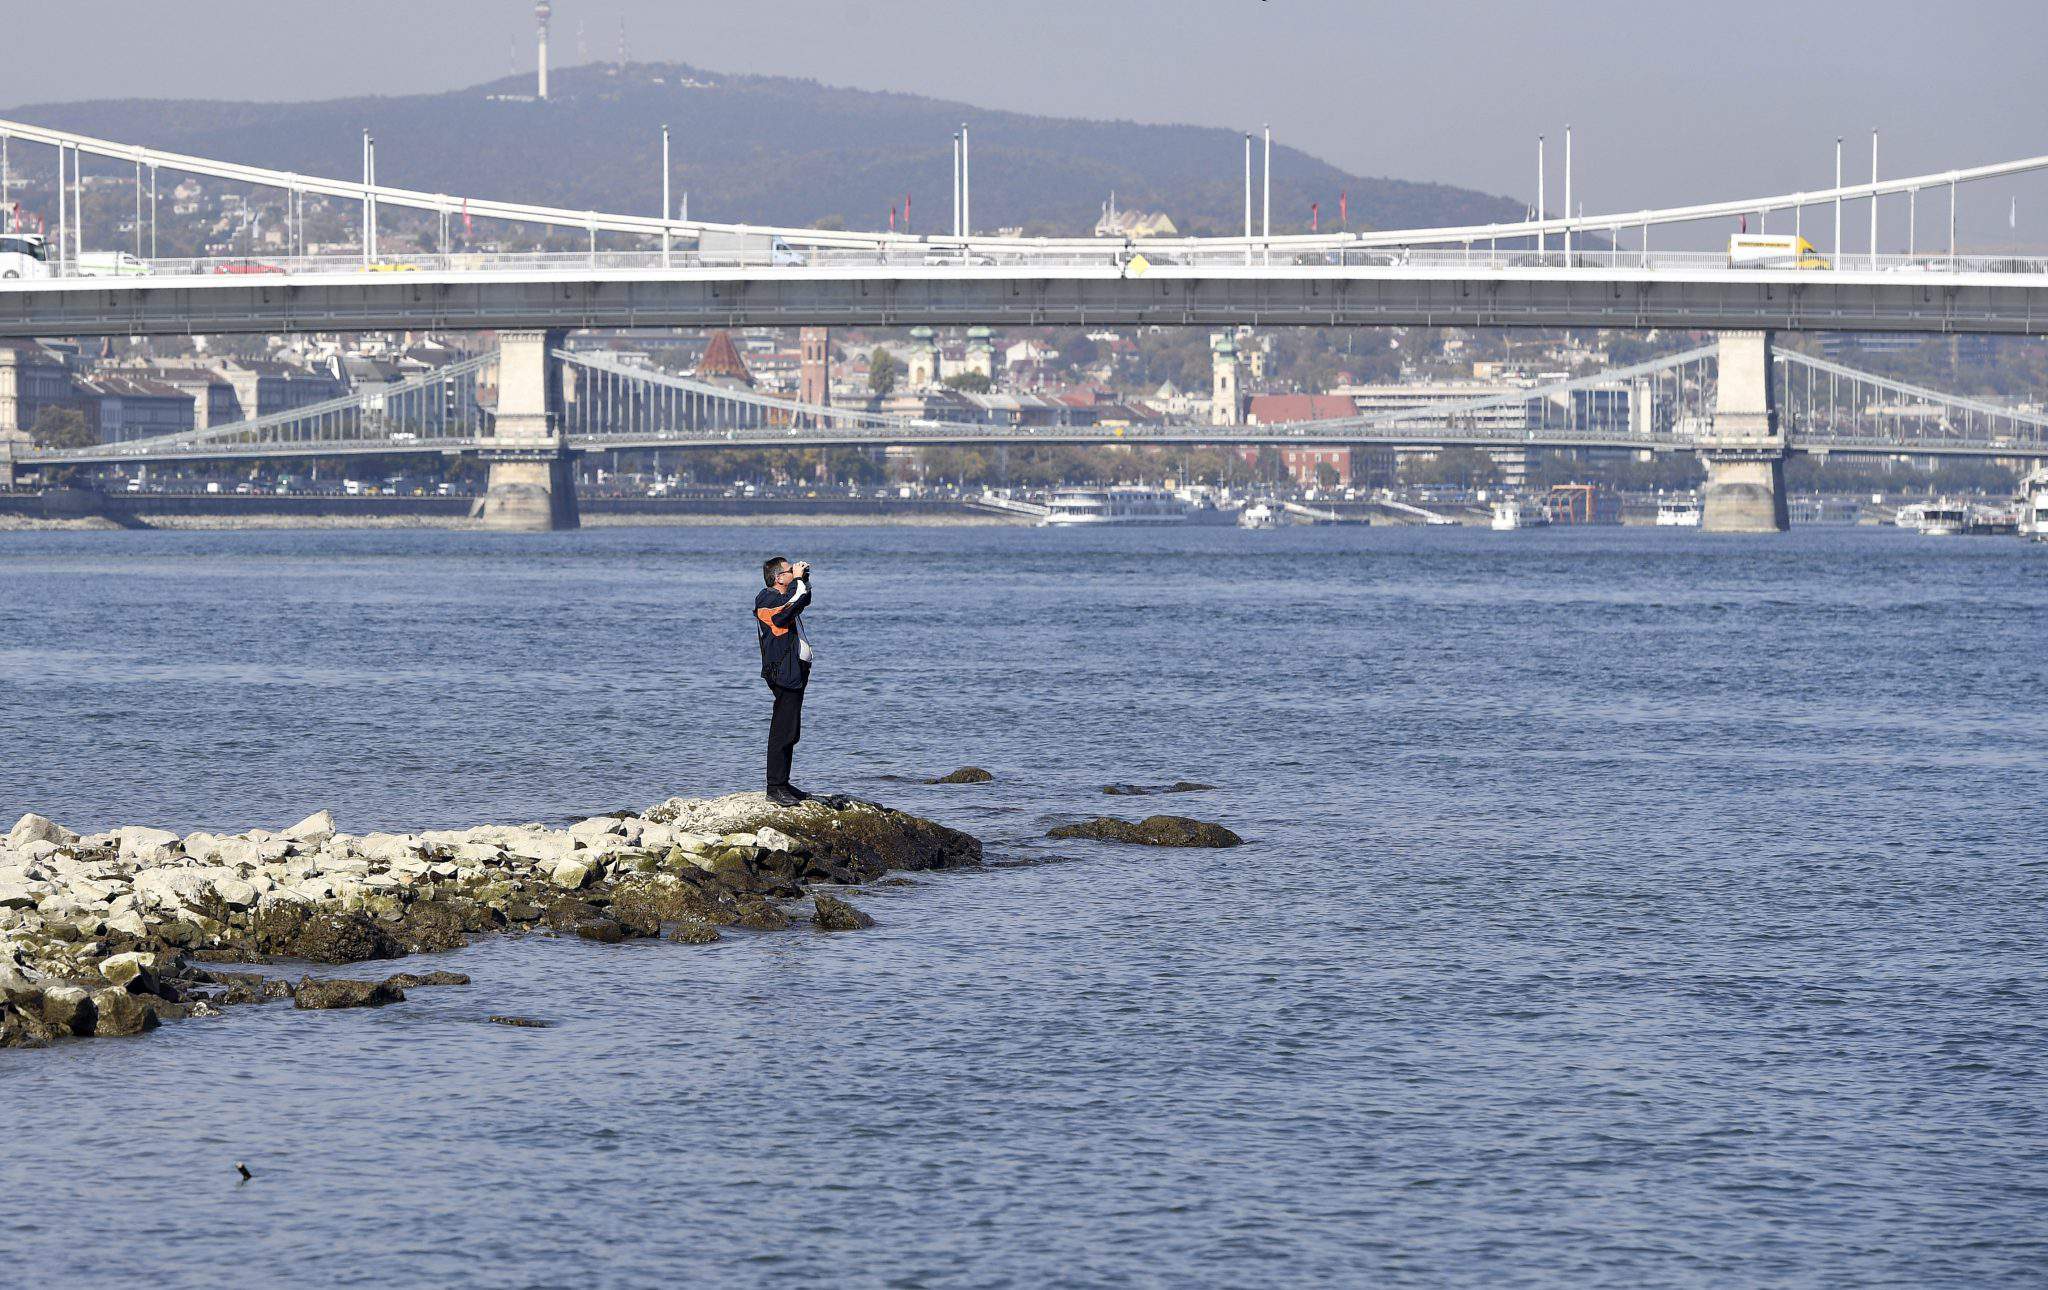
[(1621, 908)]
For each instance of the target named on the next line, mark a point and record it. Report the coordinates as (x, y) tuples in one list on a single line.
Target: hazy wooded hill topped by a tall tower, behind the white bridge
[(767, 148)]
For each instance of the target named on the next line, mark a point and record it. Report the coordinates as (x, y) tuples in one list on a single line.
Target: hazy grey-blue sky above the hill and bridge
[(1670, 103)]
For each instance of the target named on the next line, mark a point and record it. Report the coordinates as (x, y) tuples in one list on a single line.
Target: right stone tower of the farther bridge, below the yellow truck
[(1746, 456)]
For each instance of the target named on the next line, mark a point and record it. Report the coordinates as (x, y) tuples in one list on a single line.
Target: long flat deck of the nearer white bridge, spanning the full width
[(1916, 298)]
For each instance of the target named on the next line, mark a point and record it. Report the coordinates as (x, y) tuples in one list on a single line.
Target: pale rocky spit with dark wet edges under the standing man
[(116, 933)]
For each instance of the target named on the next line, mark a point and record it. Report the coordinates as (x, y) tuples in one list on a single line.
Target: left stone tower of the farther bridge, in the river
[(531, 484)]
